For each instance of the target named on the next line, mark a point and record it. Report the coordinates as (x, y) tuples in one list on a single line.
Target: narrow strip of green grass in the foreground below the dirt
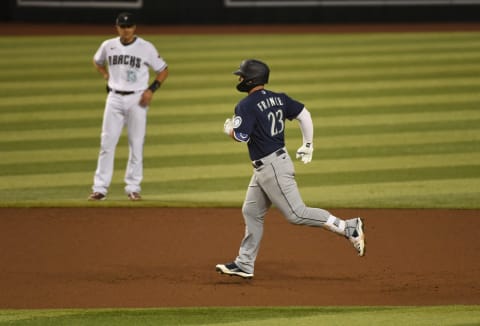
[(301, 316)]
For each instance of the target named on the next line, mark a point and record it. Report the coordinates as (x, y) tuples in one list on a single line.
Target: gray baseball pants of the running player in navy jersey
[(274, 183)]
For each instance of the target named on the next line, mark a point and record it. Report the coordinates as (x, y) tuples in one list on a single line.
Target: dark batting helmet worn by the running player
[(254, 72)]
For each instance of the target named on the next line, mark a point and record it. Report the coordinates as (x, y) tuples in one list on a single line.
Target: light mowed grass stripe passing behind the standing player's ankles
[(225, 183)]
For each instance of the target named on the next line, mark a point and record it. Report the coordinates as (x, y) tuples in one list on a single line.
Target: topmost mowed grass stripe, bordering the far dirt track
[(187, 44)]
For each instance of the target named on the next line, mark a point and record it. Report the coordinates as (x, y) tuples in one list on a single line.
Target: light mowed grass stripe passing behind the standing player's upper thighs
[(405, 102)]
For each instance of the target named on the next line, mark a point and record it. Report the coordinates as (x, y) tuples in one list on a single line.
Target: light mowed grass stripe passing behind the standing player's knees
[(324, 139)]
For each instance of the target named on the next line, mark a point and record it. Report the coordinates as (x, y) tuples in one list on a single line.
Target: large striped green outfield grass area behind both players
[(396, 119)]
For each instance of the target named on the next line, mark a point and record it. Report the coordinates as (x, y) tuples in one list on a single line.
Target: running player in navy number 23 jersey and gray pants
[(259, 121)]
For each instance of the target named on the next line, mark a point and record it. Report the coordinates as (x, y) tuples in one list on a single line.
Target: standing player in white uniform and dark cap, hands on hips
[(129, 59)]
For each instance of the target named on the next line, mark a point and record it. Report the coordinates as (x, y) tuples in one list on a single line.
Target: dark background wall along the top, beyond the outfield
[(157, 12)]
